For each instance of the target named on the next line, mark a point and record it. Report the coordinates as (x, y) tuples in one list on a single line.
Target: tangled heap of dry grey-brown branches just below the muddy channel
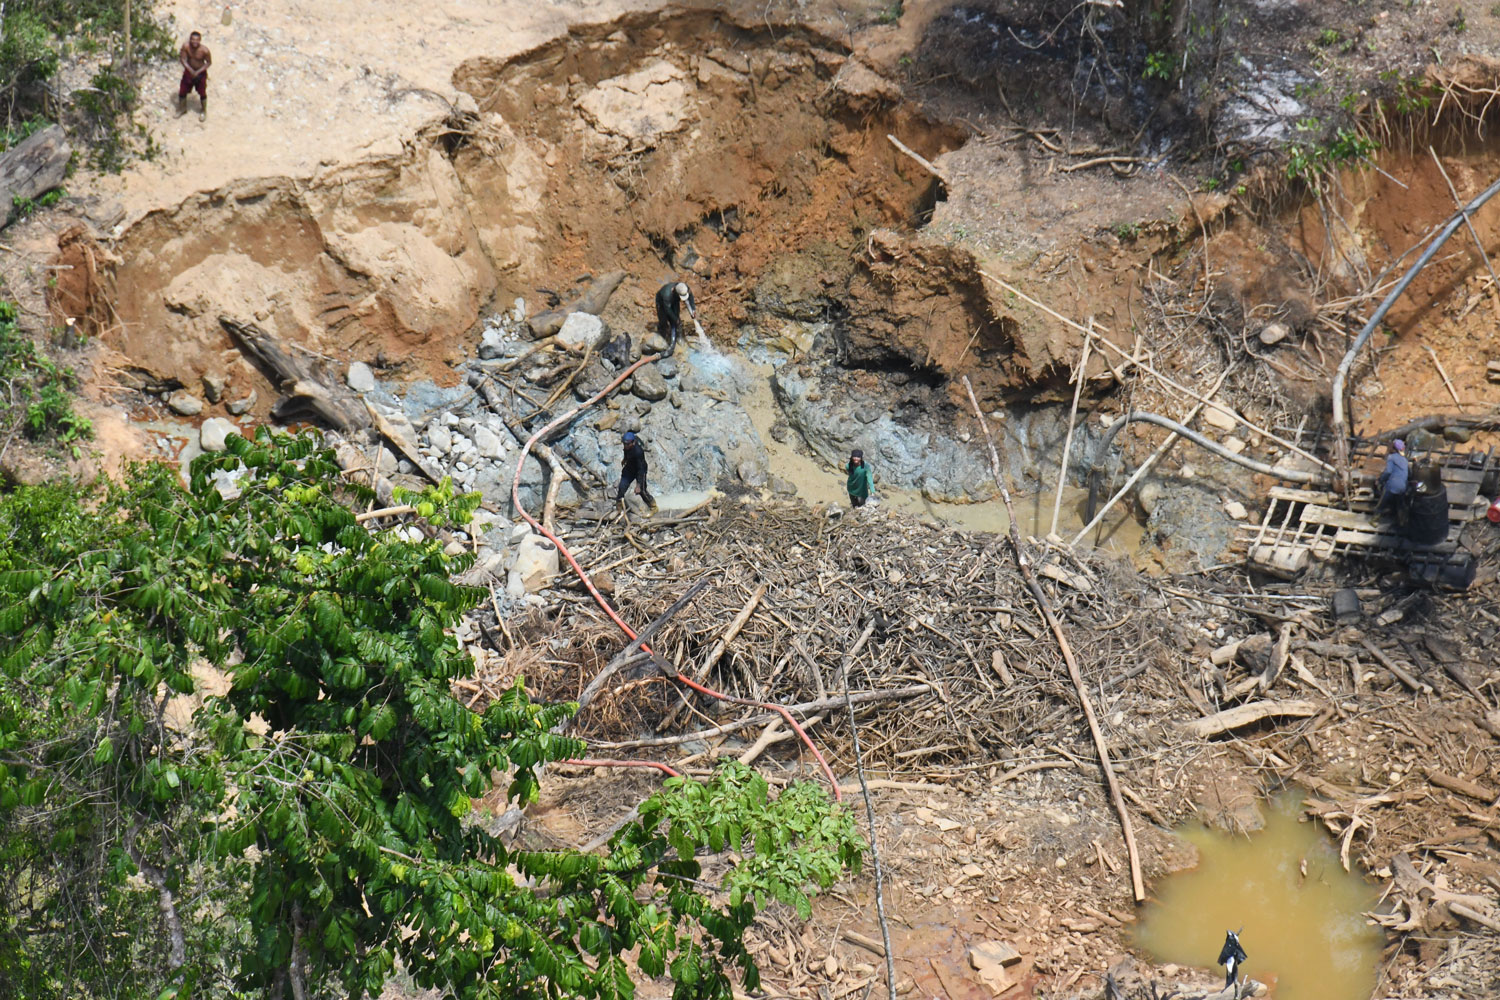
[(959, 669)]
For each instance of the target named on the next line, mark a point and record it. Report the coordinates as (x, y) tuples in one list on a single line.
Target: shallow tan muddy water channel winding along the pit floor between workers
[(818, 484)]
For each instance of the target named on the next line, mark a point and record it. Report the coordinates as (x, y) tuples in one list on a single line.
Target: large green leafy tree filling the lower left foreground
[(232, 764)]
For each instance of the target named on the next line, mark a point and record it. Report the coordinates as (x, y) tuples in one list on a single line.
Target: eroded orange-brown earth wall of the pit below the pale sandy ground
[(752, 161)]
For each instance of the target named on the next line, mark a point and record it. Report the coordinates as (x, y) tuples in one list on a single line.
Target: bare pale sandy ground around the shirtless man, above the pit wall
[(299, 88)]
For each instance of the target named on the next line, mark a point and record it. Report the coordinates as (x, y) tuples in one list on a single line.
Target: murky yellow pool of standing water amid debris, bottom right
[(1300, 911)]
